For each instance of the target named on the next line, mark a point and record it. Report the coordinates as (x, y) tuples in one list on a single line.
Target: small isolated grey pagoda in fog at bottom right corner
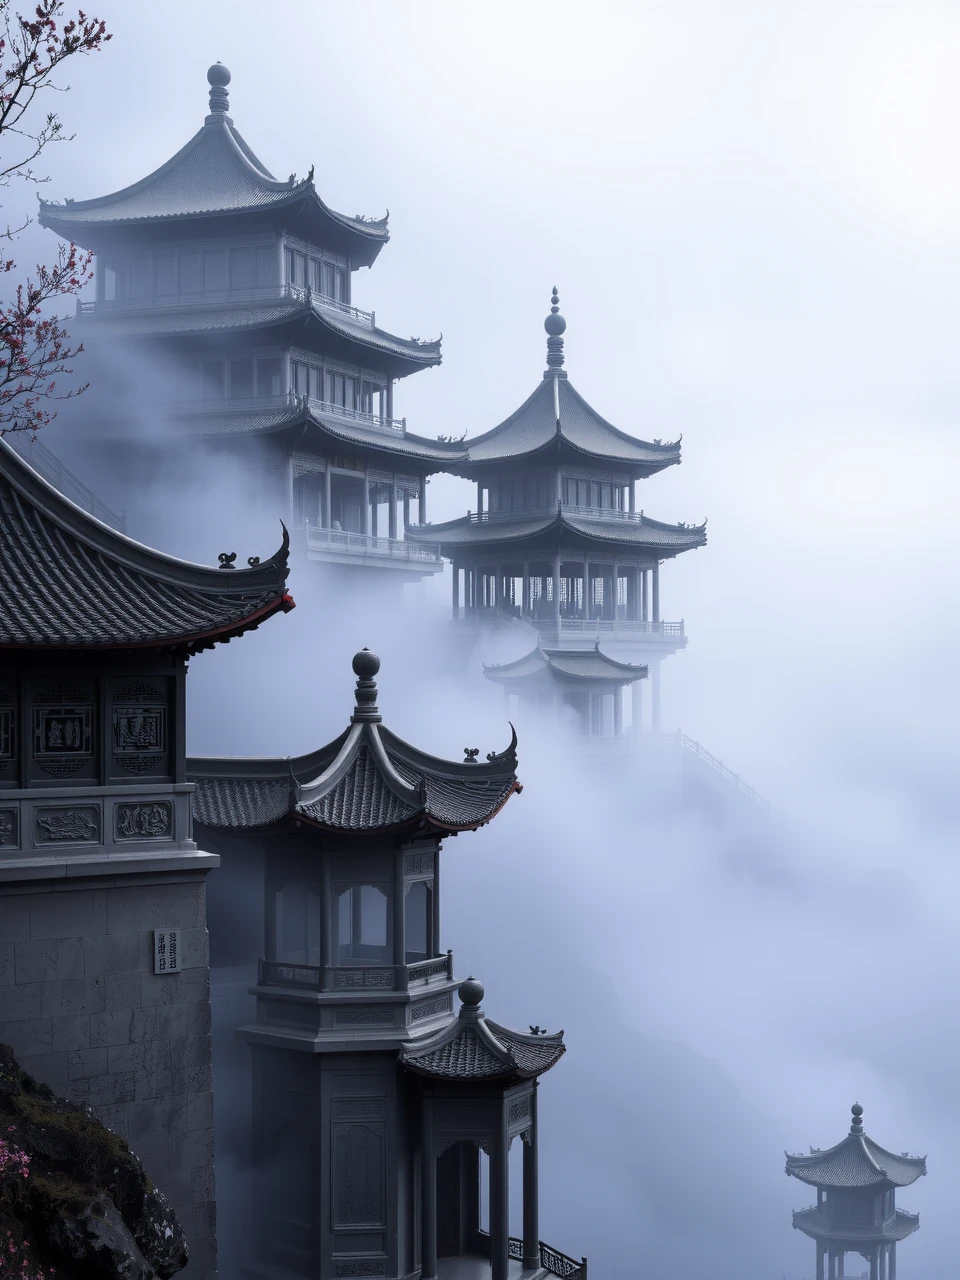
[(856, 1212)]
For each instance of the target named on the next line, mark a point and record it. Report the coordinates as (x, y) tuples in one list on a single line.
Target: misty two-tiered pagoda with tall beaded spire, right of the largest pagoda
[(557, 541)]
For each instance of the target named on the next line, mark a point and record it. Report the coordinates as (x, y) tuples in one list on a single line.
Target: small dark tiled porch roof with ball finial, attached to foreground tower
[(472, 1048)]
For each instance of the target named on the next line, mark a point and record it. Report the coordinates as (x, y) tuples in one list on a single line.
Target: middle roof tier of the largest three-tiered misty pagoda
[(154, 322)]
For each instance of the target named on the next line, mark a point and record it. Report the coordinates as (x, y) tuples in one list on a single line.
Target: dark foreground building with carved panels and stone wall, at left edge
[(103, 908)]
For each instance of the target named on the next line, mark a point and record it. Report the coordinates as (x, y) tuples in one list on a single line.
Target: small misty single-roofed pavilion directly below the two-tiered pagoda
[(583, 682)]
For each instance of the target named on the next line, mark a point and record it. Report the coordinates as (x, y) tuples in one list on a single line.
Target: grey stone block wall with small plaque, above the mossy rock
[(84, 1012)]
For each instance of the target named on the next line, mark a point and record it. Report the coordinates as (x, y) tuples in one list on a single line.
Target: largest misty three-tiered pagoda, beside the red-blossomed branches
[(232, 292)]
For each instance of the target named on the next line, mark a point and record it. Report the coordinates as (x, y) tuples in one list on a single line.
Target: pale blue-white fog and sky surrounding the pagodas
[(753, 218)]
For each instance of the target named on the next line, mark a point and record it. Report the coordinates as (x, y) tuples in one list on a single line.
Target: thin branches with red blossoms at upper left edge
[(35, 349)]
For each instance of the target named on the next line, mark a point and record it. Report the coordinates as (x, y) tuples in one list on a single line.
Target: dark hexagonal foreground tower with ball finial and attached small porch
[(373, 1096)]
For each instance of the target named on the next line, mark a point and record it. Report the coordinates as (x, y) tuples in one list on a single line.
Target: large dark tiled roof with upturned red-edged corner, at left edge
[(70, 582)]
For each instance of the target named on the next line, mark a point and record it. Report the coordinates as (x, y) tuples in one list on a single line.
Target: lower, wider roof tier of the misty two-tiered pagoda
[(632, 533)]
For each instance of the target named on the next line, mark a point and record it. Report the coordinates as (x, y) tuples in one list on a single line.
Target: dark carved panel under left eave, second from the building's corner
[(63, 738)]
